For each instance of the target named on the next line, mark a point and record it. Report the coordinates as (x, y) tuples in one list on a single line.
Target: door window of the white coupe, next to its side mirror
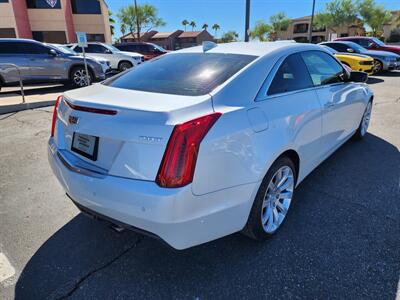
[(323, 68)]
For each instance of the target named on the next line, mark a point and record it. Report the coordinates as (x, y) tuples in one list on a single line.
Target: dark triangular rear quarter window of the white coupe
[(292, 75)]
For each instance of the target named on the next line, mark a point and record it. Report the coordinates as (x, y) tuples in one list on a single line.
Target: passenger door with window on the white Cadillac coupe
[(342, 101)]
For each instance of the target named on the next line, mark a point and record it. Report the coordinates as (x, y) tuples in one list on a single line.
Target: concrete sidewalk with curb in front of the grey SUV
[(35, 97)]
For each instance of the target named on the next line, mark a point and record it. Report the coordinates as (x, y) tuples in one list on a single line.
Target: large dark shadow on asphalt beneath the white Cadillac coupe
[(341, 240)]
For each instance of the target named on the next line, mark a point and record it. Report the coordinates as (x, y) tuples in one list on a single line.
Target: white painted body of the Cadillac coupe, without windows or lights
[(252, 132)]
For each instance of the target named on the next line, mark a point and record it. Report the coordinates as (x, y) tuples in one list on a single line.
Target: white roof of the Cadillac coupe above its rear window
[(252, 48)]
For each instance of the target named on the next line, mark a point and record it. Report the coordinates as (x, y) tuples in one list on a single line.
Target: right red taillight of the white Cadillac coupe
[(179, 161)]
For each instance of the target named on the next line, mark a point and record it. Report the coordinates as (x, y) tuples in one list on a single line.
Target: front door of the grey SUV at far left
[(43, 64)]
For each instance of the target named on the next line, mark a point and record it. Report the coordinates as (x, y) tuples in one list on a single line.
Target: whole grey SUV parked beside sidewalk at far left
[(42, 63)]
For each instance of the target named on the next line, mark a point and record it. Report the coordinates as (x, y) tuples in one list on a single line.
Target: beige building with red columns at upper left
[(55, 21)]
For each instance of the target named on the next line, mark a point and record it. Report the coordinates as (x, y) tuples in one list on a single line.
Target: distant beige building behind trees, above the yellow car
[(299, 28)]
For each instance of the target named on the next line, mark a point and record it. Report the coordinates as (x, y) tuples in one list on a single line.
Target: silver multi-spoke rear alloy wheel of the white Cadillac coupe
[(277, 199)]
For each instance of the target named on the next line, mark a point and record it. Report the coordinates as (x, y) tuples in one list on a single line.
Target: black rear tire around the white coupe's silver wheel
[(254, 227)]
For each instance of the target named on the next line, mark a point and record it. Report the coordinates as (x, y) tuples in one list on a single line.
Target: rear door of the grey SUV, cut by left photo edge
[(12, 53)]
